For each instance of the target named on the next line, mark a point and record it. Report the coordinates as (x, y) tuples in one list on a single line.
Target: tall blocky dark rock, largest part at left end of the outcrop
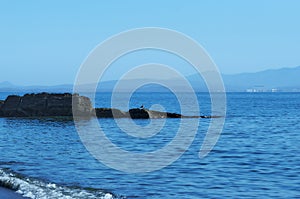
[(44, 104)]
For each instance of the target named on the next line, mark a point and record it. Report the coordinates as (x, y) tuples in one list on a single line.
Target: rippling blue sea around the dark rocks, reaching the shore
[(256, 156)]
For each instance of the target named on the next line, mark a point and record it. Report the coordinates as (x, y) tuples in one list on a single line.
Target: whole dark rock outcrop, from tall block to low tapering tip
[(65, 105)]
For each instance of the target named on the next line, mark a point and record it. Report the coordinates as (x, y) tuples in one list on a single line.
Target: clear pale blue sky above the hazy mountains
[(45, 42)]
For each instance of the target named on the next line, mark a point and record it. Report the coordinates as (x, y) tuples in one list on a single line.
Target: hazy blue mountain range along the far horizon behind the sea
[(284, 80)]
